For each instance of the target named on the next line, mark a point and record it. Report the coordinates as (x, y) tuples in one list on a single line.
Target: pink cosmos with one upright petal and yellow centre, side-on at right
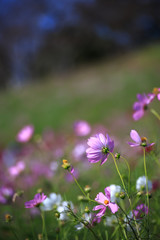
[(138, 141)]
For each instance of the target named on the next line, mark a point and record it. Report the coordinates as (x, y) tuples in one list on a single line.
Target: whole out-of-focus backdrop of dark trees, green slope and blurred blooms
[(63, 61)]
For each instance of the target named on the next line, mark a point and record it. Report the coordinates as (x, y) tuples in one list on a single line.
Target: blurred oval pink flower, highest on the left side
[(25, 134)]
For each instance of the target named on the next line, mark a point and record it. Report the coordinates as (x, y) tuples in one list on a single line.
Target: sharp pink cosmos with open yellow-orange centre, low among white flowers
[(104, 201)]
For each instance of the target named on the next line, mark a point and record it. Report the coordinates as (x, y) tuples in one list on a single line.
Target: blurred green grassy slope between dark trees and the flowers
[(95, 93)]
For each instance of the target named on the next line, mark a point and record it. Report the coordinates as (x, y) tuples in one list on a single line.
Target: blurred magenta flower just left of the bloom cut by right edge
[(141, 106)]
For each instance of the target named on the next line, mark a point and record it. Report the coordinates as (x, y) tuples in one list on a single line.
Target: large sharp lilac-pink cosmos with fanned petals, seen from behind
[(99, 148)]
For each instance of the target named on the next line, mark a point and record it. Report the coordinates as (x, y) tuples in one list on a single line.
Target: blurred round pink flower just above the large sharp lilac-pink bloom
[(82, 128)]
